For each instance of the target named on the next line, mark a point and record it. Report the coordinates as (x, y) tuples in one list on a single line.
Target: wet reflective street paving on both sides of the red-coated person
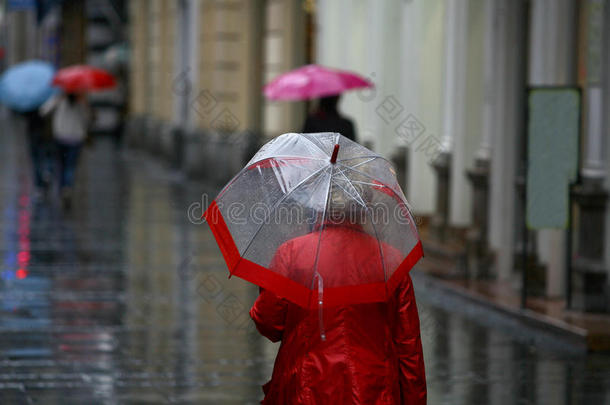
[(124, 300)]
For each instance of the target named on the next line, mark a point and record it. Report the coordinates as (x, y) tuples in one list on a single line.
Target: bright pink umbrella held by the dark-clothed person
[(313, 81)]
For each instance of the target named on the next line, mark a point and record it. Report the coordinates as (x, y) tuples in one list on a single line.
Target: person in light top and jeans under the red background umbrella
[(71, 116)]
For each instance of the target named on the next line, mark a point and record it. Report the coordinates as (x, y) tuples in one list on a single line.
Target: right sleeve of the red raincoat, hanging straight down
[(408, 346)]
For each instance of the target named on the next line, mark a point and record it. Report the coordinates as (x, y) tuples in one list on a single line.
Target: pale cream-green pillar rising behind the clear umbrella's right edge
[(422, 94)]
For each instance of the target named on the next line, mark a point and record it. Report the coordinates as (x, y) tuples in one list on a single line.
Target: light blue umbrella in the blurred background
[(24, 87)]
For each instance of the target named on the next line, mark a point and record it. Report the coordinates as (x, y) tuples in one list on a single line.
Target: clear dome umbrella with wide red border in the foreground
[(317, 219)]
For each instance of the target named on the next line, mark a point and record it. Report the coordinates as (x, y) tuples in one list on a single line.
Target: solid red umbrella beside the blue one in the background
[(83, 78)]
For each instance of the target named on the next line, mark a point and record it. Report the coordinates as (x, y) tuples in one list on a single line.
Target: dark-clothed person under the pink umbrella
[(327, 118)]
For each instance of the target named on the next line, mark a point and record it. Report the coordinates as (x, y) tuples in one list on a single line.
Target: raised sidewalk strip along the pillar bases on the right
[(589, 330)]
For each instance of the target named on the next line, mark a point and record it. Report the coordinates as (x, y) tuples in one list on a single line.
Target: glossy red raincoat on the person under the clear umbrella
[(372, 353)]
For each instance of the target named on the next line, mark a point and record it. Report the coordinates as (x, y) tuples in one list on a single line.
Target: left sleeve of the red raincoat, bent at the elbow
[(269, 310)]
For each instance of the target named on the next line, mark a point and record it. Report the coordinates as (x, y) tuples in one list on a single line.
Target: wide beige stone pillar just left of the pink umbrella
[(228, 97)]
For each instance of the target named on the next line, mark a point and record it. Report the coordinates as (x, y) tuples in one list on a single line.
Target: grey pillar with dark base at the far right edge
[(590, 278)]
